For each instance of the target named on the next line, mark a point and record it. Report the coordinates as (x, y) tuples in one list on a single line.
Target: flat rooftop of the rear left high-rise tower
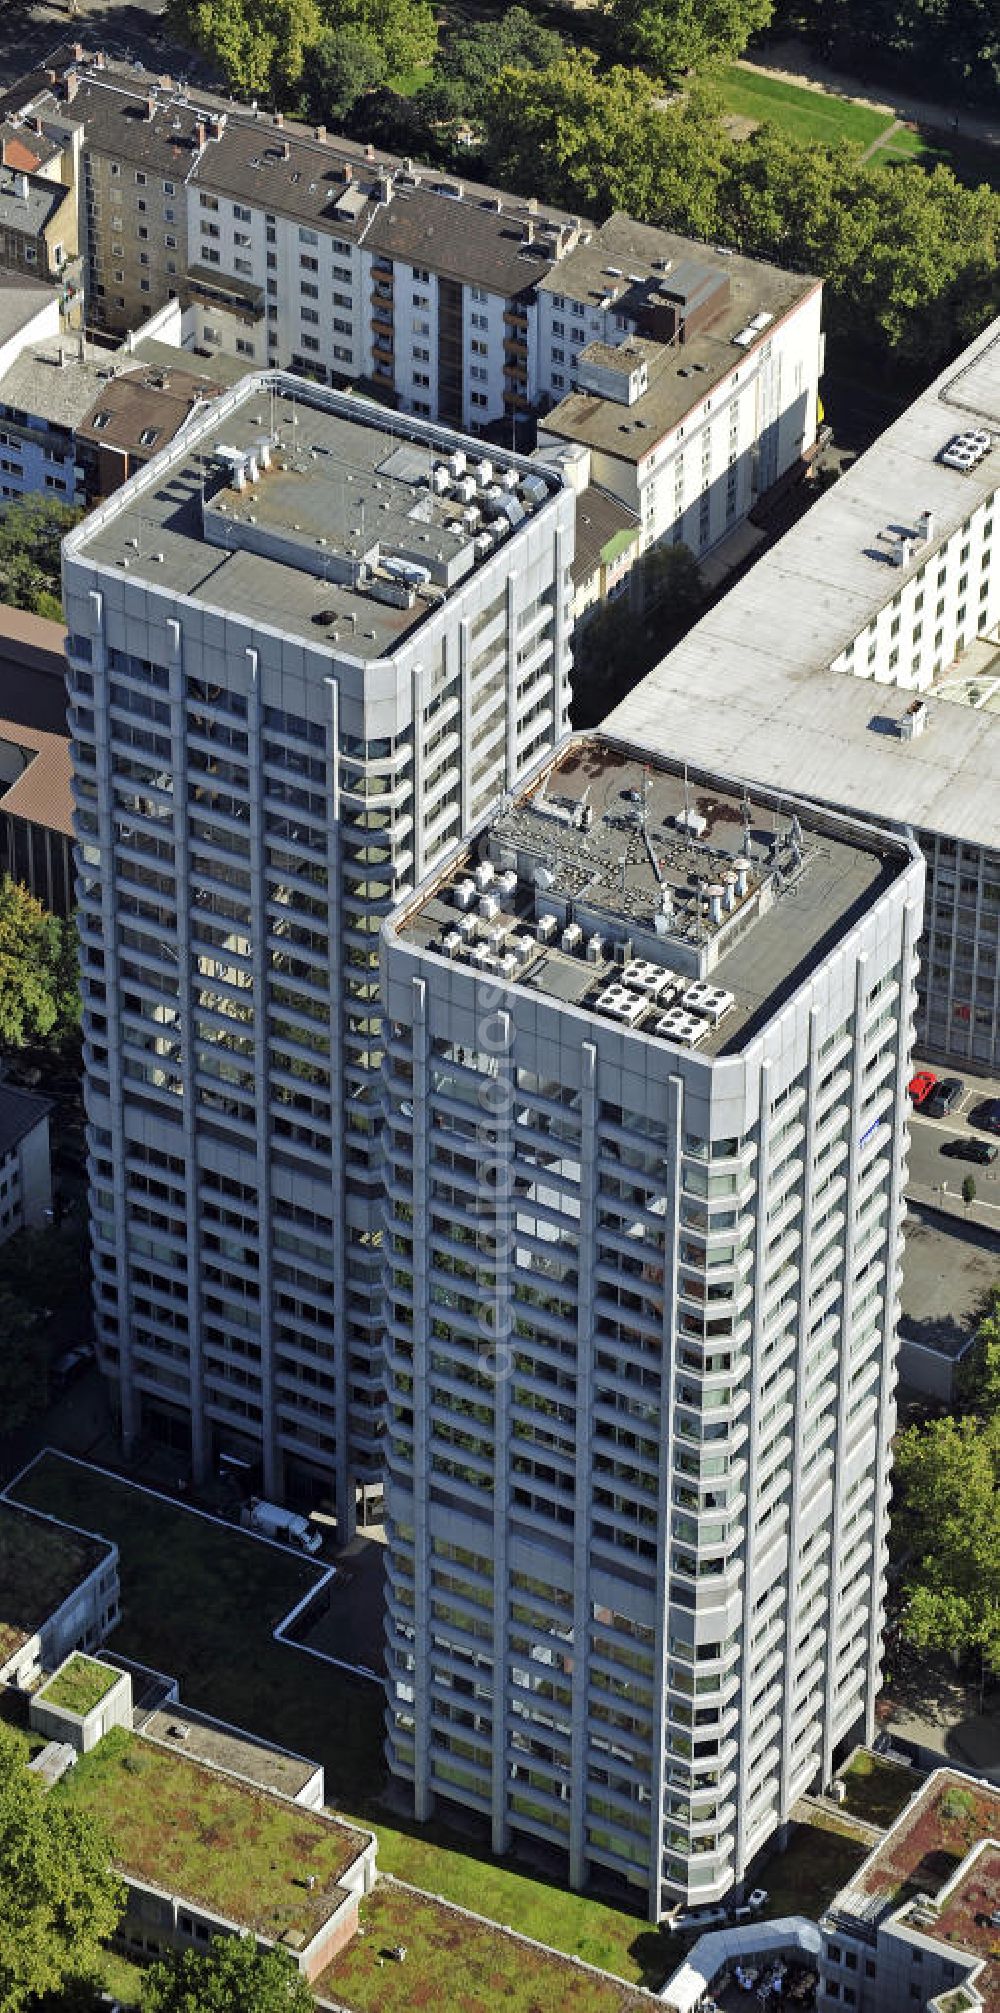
[(315, 512)]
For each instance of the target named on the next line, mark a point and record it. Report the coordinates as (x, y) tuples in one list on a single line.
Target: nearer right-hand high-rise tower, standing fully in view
[(647, 1060)]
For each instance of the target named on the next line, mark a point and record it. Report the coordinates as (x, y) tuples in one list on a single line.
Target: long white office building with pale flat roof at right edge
[(860, 663)]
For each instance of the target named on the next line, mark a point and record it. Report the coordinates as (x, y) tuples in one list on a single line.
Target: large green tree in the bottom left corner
[(59, 1895)]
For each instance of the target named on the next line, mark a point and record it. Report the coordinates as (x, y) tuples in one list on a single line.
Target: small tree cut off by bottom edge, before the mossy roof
[(230, 1978)]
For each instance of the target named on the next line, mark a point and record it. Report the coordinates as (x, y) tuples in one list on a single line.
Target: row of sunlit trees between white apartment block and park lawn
[(910, 259)]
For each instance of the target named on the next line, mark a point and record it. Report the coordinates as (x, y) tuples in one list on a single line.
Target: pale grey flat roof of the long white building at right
[(752, 685)]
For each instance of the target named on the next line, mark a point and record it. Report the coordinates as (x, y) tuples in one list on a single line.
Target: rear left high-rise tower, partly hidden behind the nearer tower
[(309, 647)]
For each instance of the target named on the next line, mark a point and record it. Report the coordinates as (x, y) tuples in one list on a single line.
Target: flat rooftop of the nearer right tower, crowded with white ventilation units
[(671, 903)]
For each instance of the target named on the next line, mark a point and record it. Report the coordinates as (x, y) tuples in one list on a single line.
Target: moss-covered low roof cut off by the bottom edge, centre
[(456, 1966)]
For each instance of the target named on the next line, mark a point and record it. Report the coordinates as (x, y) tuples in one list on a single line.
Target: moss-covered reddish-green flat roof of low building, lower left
[(222, 1845)]
